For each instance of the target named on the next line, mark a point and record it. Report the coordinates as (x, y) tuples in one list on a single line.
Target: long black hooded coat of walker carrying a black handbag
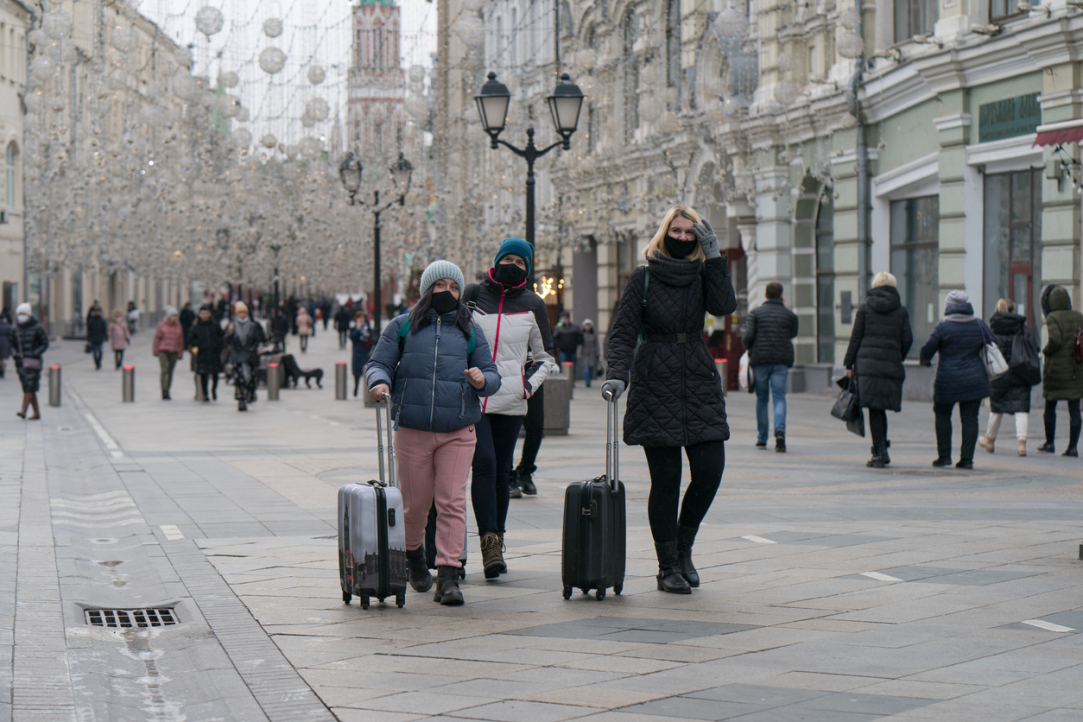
[(881, 339)]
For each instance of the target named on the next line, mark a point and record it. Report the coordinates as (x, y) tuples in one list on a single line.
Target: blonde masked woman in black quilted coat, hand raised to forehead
[(675, 399)]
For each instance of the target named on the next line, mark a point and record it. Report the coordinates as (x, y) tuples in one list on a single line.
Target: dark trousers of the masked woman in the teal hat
[(492, 465)]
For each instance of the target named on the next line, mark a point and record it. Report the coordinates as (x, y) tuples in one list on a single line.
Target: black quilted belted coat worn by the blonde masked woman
[(675, 396)]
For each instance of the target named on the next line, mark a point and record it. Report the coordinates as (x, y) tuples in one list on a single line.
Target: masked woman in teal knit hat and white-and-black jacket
[(516, 324)]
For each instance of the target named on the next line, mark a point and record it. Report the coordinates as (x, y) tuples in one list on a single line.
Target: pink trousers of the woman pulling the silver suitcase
[(436, 466)]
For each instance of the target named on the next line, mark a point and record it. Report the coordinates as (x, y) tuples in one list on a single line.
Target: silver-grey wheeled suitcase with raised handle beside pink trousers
[(372, 531)]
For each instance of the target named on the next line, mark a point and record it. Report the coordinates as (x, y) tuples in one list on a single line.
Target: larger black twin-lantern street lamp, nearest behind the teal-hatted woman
[(565, 107)]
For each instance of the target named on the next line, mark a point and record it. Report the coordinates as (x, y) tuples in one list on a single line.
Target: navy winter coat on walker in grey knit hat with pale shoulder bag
[(961, 375)]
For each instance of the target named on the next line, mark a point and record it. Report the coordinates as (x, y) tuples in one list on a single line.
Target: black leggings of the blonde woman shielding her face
[(707, 463)]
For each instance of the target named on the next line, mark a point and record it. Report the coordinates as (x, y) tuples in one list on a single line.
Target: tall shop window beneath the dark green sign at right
[(1013, 242)]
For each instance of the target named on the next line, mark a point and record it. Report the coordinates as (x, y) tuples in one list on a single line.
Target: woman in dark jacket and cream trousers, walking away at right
[(1010, 392)]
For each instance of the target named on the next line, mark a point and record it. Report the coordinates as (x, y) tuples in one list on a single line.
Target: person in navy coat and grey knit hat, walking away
[(961, 376)]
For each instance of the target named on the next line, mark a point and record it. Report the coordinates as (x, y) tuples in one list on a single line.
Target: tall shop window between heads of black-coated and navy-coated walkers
[(916, 241)]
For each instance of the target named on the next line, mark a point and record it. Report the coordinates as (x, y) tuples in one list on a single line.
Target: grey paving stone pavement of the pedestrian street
[(830, 592)]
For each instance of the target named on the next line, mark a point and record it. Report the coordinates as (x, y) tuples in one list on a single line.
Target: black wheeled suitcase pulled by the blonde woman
[(593, 552)]
